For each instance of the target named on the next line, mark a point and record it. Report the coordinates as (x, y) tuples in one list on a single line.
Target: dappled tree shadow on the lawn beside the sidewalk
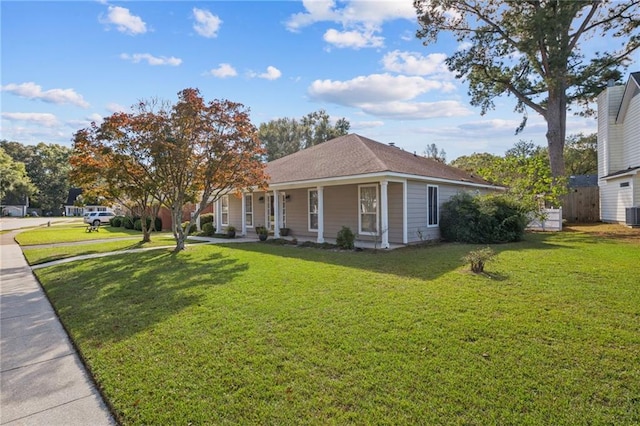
[(112, 298)]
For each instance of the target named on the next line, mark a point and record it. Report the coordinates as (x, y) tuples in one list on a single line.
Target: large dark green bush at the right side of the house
[(483, 219)]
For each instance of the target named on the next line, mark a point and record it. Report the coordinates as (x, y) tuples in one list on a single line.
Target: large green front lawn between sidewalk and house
[(263, 334)]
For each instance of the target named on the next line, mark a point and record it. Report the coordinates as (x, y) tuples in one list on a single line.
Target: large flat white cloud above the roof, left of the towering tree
[(374, 88)]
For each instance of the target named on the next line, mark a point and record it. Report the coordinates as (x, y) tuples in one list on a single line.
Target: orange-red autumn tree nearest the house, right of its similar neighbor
[(206, 150)]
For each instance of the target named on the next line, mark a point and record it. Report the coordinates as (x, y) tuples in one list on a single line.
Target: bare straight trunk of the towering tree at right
[(556, 130)]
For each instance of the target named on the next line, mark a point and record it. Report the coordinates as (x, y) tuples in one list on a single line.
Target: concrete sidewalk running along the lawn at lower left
[(42, 378)]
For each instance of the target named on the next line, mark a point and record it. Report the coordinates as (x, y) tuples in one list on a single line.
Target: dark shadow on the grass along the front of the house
[(424, 262)]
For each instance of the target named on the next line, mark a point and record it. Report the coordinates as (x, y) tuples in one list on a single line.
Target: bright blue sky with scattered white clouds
[(65, 64)]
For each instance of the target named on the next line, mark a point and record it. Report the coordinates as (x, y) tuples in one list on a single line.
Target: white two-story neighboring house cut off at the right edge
[(619, 149)]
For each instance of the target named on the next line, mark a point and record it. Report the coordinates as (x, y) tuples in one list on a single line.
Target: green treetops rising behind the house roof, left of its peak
[(285, 136)]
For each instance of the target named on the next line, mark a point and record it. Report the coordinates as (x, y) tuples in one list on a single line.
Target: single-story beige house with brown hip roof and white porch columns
[(384, 194)]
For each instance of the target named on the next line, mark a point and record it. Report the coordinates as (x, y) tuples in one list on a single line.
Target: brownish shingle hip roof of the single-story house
[(353, 155)]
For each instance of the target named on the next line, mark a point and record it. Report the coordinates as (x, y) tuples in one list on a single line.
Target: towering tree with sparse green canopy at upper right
[(532, 50)]
